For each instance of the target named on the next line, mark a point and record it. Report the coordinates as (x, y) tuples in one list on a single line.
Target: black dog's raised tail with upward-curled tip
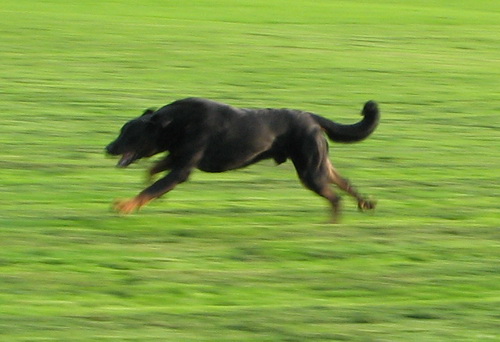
[(355, 132)]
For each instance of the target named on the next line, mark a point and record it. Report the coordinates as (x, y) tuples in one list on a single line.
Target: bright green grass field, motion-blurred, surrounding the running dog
[(248, 255)]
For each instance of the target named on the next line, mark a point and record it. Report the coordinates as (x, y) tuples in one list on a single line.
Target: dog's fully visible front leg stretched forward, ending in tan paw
[(159, 188)]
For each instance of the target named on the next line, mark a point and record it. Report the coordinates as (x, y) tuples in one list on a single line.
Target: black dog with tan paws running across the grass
[(216, 137)]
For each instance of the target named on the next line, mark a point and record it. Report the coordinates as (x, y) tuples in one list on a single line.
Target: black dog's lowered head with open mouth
[(138, 139)]
